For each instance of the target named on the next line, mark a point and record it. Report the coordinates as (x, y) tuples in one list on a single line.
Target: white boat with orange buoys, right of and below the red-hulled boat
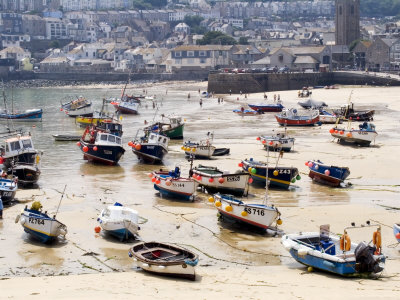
[(362, 136)]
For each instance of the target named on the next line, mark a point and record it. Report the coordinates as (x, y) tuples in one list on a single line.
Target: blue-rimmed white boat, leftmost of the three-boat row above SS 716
[(171, 184)]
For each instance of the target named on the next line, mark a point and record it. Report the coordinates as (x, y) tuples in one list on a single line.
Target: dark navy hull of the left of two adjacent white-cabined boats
[(105, 154)]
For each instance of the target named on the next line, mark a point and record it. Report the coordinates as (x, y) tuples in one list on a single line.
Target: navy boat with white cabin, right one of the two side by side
[(150, 148)]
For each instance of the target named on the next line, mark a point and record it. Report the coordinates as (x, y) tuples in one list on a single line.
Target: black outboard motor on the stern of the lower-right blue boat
[(365, 260)]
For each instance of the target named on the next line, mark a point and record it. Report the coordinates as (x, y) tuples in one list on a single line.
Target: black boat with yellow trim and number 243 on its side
[(278, 177)]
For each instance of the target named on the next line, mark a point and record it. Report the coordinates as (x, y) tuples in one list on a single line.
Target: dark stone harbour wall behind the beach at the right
[(222, 83)]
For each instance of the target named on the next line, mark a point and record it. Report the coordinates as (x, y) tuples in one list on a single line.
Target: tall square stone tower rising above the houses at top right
[(347, 21)]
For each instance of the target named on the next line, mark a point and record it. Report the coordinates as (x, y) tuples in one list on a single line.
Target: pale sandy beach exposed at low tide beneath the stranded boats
[(233, 263)]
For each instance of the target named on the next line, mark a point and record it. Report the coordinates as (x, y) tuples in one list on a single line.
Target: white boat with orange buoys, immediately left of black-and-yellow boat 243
[(215, 180)]
